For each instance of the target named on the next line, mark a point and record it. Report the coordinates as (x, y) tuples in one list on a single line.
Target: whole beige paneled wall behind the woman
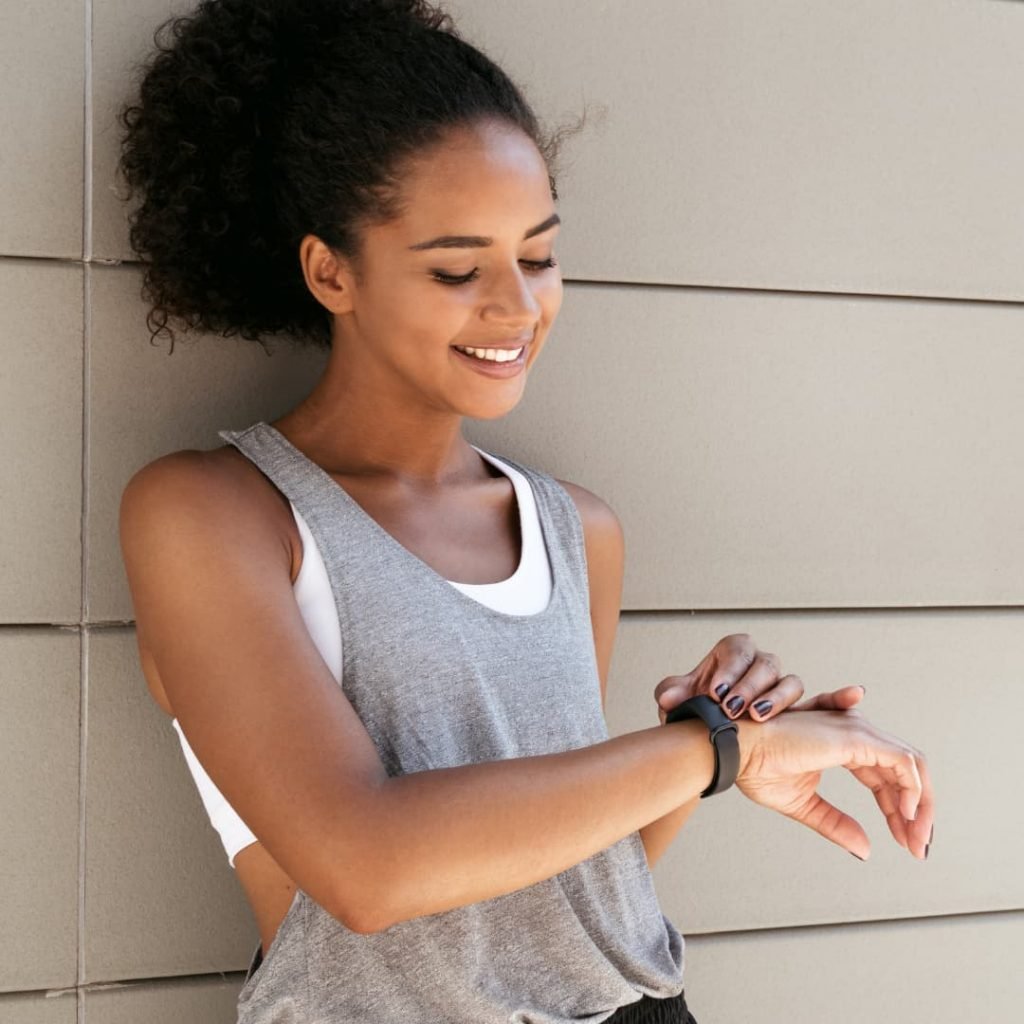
[(792, 358)]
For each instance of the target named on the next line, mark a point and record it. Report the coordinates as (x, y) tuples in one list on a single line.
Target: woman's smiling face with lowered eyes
[(471, 264)]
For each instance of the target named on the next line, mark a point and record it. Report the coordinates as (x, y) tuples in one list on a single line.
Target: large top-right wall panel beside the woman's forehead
[(860, 147)]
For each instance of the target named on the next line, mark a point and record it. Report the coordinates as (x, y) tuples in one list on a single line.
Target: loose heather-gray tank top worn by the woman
[(441, 680)]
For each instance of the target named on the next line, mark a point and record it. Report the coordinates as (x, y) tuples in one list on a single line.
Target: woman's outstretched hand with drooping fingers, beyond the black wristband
[(782, 763)]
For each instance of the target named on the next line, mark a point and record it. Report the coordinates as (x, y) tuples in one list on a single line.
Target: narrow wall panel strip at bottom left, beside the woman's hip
[(198, 1001)]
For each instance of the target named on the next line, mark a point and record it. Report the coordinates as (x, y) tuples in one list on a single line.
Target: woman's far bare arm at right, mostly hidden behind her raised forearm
[(606, 545)]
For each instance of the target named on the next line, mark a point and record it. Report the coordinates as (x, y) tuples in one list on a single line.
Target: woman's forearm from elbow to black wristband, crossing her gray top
[(449, 837)]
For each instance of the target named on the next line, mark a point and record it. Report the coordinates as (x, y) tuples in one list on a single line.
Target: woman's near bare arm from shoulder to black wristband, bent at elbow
[(211, 589)]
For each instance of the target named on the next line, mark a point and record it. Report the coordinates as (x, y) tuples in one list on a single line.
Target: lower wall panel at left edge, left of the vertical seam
[(39, 823)]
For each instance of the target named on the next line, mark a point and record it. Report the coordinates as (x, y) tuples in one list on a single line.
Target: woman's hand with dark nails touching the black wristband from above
[(736, 669)]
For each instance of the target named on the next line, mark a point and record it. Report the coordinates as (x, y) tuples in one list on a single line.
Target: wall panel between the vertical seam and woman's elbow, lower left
[(161, 899)]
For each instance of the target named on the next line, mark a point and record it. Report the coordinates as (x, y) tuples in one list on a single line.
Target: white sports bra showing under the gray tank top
[(526, 592)]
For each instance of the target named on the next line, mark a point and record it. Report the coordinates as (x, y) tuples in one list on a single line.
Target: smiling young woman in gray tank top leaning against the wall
[(385, 650)]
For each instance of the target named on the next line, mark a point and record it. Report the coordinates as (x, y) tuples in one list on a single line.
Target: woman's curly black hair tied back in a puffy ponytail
[(262, 121)]
